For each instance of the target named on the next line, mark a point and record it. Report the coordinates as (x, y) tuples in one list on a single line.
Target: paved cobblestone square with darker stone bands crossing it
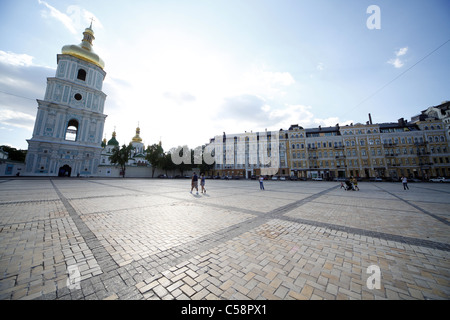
[(152, 239)]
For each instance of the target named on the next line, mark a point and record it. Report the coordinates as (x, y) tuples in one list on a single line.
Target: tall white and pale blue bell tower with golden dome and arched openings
[(69, 124)]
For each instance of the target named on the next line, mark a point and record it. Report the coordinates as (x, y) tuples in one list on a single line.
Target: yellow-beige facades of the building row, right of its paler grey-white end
[(387, 150)]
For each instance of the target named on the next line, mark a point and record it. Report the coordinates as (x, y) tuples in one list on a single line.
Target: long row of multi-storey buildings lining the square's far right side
[(416, 149)]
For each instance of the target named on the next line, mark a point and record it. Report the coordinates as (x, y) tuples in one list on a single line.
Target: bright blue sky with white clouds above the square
[(188, 70)]
